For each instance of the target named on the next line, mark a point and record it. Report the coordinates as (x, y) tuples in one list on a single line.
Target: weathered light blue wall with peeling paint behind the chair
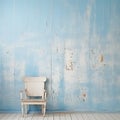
[(75, 43)]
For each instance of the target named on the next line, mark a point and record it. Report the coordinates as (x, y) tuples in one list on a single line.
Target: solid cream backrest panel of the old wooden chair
[(34, 86)]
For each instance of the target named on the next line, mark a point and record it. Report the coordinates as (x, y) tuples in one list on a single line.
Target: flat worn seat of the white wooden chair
[(33, 101)]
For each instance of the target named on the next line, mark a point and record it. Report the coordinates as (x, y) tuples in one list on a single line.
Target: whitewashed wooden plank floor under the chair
[(62, 116)]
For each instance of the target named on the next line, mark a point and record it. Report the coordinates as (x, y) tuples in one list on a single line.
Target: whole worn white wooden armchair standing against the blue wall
[(34, 87)]
